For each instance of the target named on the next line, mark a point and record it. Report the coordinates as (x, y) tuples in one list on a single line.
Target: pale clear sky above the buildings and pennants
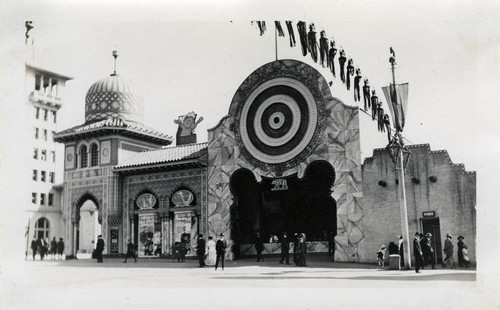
[(193, 55)]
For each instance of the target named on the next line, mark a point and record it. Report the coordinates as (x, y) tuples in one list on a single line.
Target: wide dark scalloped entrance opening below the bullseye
[(289, 204)]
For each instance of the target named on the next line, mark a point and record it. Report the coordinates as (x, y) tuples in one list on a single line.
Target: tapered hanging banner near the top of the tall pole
[(398, 98)]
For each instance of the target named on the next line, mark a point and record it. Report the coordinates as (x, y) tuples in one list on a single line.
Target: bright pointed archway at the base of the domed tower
[(88, 226)]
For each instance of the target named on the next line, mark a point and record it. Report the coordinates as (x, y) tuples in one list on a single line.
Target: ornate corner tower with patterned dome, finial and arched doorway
[(112, 133)]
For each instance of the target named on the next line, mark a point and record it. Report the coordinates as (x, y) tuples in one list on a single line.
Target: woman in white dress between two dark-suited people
[(211, 253)]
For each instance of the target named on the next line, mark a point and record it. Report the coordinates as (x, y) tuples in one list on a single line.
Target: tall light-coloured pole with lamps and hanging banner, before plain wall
[(397, 97)]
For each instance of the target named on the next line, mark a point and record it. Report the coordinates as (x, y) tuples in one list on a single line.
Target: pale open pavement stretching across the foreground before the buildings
[(243, 284)]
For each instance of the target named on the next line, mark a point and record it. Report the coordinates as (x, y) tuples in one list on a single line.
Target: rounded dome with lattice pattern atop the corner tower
[(112, 97)]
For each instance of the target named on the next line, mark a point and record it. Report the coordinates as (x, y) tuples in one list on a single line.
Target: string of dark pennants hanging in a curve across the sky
[(327, 51)]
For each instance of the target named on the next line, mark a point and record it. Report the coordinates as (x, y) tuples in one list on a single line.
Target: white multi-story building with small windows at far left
[(44, 91)]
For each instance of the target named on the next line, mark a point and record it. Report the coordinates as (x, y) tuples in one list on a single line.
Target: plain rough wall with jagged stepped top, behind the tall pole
[(433, 183)]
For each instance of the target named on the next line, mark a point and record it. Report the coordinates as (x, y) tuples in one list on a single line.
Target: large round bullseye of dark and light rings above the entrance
[(278, 120)]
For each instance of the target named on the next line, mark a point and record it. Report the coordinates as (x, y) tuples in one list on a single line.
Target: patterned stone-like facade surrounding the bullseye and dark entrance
[(338, 144)]
